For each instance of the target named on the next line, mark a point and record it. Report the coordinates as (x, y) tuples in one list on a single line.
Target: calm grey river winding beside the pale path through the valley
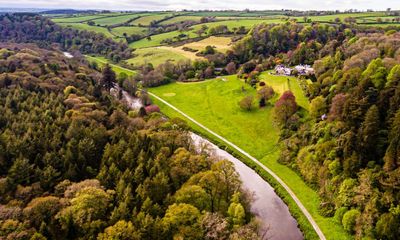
[(267, 206)]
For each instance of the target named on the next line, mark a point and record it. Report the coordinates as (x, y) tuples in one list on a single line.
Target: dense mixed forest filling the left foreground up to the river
[(77, 164)]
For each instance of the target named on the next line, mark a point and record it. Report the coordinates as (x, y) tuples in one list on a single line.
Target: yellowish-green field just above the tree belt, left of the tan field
[(156, 56)]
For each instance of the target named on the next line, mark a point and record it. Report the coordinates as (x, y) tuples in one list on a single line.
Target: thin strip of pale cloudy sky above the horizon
[(157, 5)]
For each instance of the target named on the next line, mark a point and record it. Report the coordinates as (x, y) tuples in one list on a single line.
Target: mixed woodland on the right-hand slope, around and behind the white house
[(347, 147)]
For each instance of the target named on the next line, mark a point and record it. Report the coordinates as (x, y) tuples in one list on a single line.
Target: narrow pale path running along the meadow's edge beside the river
[(281, 182)]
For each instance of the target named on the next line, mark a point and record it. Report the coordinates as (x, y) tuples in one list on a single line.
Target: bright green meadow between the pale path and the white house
[(214, 104)]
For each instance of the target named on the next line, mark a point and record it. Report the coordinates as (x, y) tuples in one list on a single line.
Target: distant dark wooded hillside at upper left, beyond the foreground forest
[(22, 28)]
